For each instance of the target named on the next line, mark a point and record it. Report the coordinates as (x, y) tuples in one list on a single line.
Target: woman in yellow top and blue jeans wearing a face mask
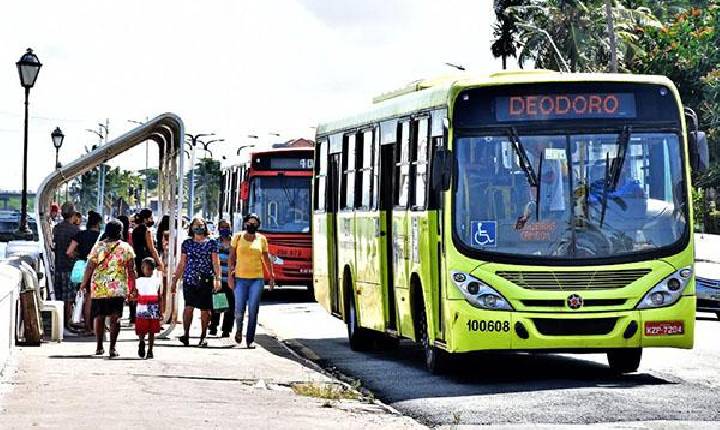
[(248, 254)]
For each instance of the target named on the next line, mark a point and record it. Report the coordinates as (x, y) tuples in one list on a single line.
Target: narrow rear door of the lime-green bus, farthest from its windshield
[(334, 174)]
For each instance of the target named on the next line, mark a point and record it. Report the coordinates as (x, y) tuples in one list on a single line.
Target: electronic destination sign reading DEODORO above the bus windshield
[(551, 107)]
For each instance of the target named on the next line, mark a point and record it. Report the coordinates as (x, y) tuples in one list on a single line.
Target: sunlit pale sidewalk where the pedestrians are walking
[(224, 386)]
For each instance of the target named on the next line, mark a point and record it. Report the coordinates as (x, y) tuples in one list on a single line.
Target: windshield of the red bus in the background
[(282, 202)]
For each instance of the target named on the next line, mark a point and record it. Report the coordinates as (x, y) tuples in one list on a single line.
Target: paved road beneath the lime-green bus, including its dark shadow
[(674, 385)]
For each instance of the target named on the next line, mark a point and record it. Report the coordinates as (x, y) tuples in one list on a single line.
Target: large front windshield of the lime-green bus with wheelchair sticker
[(570, 196)]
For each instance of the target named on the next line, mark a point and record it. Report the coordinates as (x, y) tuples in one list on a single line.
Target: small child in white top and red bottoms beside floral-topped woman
[(148, 314)]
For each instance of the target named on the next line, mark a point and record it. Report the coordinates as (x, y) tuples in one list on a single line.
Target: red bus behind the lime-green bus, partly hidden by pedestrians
[(276, 185)]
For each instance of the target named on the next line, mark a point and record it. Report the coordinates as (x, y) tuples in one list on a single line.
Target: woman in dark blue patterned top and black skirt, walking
[(199, 267)]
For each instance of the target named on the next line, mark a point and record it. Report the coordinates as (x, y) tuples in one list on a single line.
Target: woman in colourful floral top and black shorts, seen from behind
[(110, 267)]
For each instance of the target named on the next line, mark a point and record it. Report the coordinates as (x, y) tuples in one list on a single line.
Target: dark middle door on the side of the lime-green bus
[(385, 181)]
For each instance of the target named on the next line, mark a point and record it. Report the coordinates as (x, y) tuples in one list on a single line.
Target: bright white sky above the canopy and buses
[(231, 67)]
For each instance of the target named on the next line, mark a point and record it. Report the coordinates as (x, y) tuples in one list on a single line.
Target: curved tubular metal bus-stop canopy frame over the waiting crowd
[(167, 131)]
